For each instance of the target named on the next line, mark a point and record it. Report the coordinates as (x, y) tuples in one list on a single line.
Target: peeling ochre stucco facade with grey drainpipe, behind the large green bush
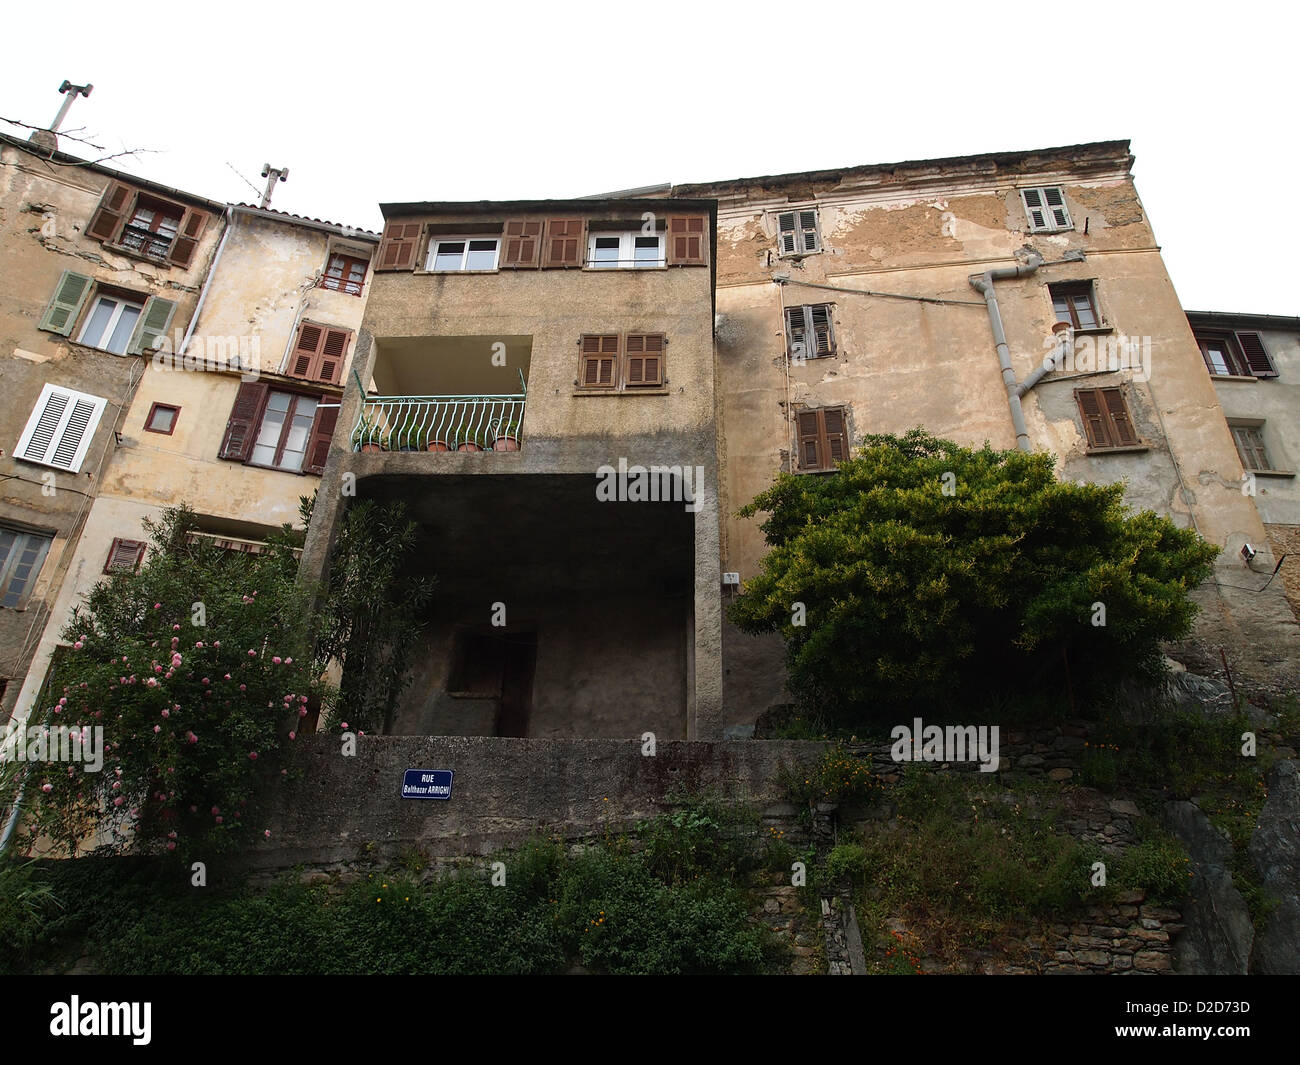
[(921, 231)]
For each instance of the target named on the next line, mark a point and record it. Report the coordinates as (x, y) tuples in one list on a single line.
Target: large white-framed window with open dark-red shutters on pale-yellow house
[(280, 430)]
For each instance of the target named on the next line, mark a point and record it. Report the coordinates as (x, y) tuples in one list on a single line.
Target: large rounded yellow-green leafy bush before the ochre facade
[(926, 574)]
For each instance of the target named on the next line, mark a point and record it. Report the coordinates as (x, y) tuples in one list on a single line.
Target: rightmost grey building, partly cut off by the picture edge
[(1255, 365)]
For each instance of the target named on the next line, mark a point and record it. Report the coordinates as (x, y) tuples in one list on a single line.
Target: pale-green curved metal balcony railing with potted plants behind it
[(440, 423)]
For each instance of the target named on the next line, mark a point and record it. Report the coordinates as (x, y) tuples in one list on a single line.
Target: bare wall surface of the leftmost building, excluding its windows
[(45, 210)]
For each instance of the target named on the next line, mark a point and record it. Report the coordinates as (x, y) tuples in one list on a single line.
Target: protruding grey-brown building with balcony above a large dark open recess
[(540, 391)]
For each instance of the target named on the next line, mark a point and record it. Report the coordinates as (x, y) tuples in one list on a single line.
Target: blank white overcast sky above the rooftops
[(388, 102)]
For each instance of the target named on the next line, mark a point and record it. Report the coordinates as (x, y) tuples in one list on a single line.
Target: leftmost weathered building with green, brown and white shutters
[(98, 267)]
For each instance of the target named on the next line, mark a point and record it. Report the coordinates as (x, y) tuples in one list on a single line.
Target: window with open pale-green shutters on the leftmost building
[(122, 323)]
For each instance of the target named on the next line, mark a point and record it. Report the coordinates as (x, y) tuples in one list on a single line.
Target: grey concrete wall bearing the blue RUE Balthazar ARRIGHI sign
[(504, 793)]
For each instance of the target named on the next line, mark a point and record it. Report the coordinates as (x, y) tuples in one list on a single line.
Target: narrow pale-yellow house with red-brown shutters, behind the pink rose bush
[(233, 414)]
